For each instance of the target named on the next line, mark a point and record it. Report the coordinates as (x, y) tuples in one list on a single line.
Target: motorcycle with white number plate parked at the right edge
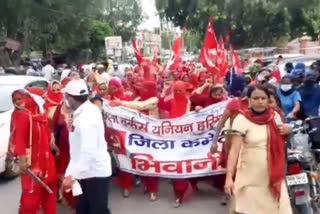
[(304, 190)]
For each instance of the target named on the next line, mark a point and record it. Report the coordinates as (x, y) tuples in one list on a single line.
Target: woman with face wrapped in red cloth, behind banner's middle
[(178, 106)]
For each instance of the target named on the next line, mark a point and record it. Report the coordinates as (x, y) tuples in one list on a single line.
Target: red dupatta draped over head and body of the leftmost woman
[(29, 130)]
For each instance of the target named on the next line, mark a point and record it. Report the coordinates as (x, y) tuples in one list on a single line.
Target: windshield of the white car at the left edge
[(5, 97)]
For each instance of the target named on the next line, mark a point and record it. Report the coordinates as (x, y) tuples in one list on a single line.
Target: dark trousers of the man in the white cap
[(94, 199)]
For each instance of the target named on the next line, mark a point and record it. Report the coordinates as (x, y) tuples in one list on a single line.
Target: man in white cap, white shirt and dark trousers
[(90, 163)]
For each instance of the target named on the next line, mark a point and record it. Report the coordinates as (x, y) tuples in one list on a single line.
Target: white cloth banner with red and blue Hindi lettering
[(172, 148)]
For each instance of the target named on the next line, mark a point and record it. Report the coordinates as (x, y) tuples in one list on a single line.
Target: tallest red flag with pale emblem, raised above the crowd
[(208, 54)]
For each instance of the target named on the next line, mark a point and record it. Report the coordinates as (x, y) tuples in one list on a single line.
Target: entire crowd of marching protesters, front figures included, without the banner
[(52, 132)]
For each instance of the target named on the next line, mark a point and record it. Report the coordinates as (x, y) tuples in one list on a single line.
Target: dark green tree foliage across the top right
[(252, 22)]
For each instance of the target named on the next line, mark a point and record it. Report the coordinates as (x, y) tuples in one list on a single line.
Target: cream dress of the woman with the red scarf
[(252, 193)]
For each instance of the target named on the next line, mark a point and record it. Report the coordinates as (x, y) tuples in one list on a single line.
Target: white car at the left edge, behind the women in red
[(9, 84)]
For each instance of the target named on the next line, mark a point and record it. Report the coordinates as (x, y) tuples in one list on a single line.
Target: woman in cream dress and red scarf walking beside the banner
[(256, 162)]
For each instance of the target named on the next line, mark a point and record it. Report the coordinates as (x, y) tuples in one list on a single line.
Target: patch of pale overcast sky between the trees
[(152, 20)]
